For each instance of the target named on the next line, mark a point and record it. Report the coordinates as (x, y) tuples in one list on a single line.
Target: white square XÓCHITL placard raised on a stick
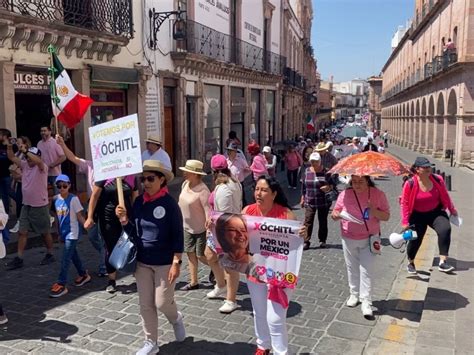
[(115, 148)]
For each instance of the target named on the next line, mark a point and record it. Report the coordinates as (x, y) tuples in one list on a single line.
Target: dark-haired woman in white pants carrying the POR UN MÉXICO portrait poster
[(270, 314)]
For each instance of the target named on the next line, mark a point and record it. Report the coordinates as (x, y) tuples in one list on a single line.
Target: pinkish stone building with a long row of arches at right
[(427, 97)]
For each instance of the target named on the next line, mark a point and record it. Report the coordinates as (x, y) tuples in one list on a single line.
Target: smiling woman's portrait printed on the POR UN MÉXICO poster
[(232, 236)]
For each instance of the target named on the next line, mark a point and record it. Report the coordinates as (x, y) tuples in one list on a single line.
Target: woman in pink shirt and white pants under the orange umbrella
[(368, 204)]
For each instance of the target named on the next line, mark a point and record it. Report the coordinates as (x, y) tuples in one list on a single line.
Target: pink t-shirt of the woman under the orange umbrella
[(347, 201)]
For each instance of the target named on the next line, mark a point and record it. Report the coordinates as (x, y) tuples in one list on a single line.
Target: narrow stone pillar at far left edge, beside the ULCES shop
[(7, 97)]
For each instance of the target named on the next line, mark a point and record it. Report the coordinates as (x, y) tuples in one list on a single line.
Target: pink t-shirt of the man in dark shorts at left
[(34, 185)]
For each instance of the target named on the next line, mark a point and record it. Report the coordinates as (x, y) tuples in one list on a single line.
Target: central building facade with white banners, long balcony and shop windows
[(243, 66)]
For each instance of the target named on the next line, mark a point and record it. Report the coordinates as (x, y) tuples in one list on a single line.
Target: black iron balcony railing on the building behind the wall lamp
[(206, 41)]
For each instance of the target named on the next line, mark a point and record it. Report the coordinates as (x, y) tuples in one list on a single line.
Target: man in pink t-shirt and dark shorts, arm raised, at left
[(35, 211)]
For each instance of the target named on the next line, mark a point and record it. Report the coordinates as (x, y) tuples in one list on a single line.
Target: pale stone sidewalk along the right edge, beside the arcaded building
[(446, 314)]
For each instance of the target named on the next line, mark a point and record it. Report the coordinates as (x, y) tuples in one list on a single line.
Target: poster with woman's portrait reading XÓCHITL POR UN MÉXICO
[(266, 249)]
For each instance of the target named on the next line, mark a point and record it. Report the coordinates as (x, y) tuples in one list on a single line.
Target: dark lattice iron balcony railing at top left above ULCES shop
[(109, 16)]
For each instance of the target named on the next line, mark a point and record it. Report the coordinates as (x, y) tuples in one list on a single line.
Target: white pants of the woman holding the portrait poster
[(269, 319)]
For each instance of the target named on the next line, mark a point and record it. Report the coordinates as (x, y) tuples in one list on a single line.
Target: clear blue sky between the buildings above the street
[(351, 38)]
